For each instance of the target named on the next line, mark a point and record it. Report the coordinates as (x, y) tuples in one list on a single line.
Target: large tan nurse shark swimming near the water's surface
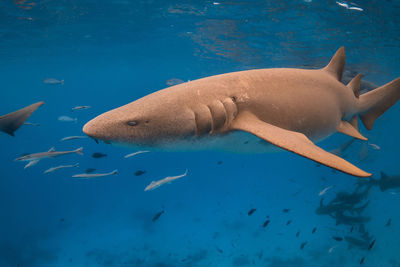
[(285, 107)]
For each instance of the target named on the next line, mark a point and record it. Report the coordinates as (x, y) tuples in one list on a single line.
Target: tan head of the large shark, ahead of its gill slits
[(153, 120)]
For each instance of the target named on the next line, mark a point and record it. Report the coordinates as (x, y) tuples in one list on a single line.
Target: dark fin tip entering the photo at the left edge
[(9, 123)]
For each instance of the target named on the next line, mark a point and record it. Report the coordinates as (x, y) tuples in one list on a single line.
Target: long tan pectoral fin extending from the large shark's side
[(294, 142)]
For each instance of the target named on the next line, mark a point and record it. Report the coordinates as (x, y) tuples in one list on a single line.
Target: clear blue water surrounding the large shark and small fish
[(112, 52)]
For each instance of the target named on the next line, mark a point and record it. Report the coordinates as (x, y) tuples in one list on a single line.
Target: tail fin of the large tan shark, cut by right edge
[(374, 103)]
